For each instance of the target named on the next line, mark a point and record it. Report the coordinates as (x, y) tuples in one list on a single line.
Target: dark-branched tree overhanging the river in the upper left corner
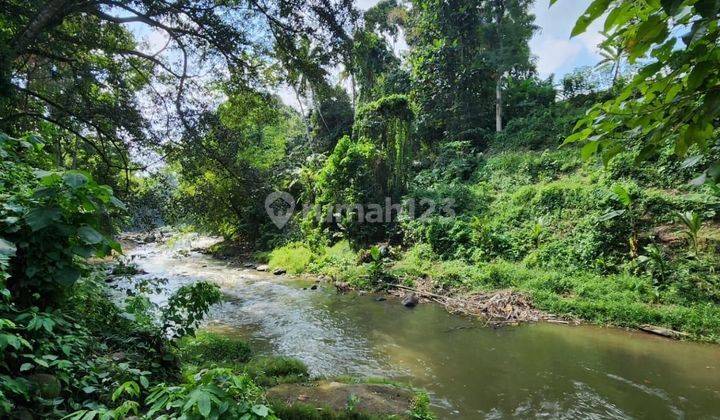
[(74, 66)]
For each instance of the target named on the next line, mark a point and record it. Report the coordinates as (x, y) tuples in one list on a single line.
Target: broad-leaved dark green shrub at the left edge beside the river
[(49, 222)]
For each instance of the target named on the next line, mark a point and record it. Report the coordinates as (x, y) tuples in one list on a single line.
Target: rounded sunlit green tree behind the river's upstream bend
[(228, 170)]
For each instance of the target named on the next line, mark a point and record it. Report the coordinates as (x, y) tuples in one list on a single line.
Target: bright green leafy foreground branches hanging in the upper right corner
[(674, 101)]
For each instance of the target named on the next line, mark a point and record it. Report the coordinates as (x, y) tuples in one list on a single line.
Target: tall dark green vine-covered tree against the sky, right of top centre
[(460, 52)]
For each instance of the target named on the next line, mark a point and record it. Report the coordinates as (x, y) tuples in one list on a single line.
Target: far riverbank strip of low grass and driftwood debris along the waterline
[(621, 300)]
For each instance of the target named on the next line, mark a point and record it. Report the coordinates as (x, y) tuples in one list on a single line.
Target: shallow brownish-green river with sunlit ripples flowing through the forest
[(470, 371)]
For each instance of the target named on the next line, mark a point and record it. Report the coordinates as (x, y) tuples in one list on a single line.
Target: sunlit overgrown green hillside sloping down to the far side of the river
[(604, 245)]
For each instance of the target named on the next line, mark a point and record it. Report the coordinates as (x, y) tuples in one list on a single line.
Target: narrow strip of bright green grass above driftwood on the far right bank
[(618, 299)]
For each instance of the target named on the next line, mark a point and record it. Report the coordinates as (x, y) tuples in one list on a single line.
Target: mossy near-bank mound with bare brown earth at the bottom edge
[(290, 391)]
